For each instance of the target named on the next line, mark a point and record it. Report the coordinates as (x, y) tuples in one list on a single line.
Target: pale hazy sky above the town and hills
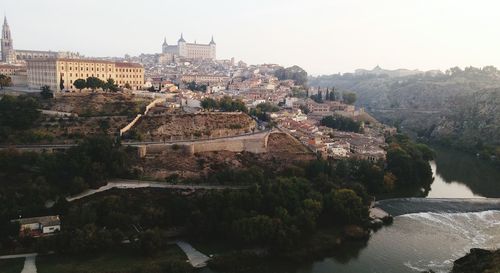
[(322, 36)]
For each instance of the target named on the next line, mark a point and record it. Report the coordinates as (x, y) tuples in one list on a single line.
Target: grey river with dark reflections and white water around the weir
[(422, 241)]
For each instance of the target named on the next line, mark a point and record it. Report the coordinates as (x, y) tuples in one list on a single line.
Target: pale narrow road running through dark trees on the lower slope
[(135, 184)]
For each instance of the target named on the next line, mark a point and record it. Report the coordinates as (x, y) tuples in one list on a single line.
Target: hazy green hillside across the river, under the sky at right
[(461, 107)]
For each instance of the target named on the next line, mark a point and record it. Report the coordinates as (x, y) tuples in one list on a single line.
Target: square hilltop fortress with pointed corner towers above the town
[(190, 50)]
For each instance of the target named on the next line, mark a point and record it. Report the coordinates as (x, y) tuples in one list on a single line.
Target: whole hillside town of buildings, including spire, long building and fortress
[(176, 68)]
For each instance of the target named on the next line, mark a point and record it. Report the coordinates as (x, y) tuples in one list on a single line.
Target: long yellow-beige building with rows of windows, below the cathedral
[(51, 71)]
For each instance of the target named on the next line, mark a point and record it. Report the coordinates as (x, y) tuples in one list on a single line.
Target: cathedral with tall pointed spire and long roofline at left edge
[(11, 56)]
